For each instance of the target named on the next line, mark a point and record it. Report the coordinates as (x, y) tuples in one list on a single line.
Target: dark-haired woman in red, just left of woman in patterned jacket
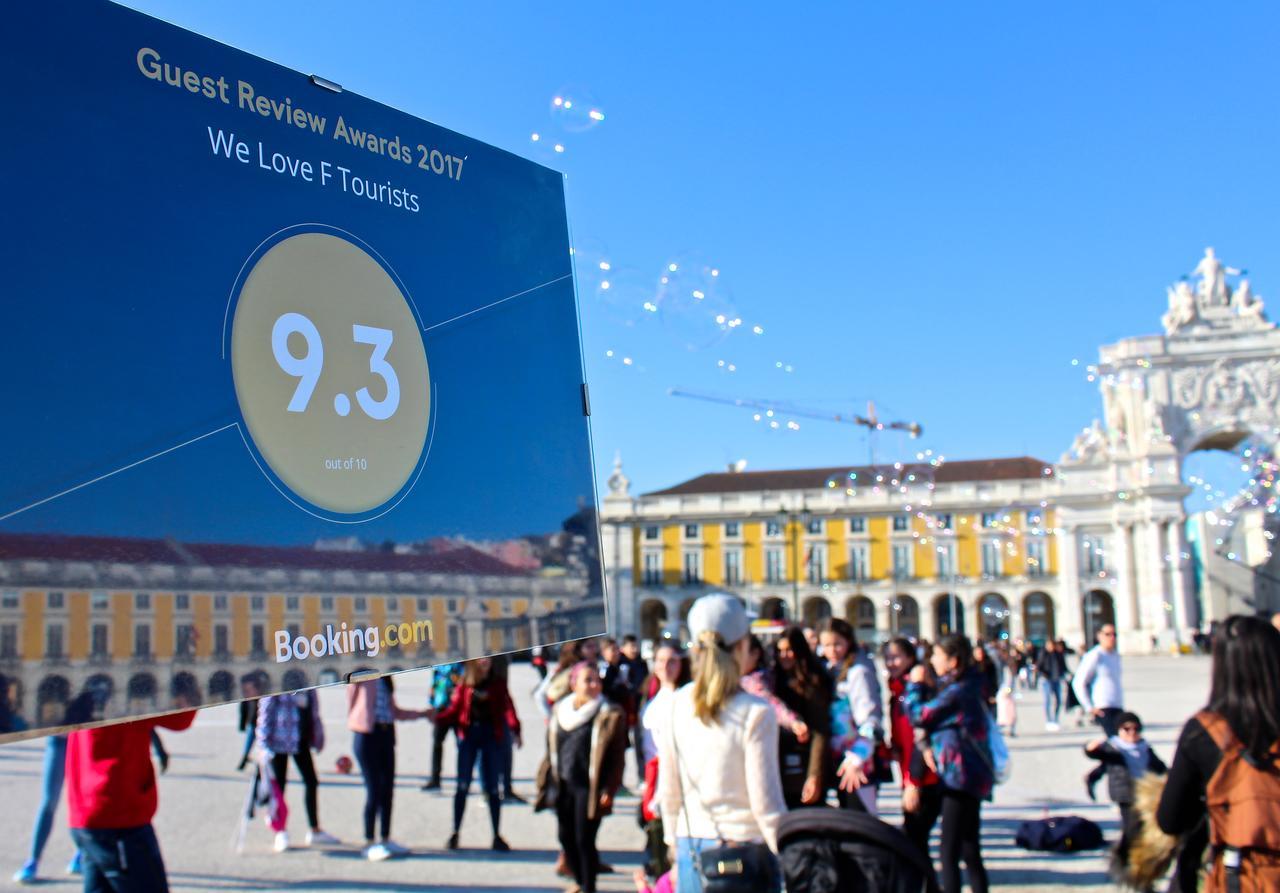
[(922, 794)]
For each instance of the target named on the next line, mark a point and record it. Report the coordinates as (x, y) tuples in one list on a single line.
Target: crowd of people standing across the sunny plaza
[(724, 741)]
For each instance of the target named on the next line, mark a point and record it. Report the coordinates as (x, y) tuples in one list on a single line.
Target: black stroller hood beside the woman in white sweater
[(843, 851)]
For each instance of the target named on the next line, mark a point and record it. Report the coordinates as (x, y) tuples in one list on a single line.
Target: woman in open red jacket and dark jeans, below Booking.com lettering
[(483, 713)]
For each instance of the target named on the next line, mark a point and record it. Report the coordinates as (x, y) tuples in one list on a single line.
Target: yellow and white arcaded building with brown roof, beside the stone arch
[(908, 549)]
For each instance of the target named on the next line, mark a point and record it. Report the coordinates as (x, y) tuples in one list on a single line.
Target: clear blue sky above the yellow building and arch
[(938, 210)]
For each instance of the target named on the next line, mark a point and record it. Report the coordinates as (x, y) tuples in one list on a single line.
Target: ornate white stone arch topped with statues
[(1212, 381)]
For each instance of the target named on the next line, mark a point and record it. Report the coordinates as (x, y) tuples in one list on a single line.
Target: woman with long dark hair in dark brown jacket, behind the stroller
[(804, 688)]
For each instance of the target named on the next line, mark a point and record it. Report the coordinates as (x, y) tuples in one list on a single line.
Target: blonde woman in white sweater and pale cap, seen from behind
[(719, 757)]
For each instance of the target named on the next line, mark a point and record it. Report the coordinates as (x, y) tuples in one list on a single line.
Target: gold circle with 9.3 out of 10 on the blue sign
[(328, 450)]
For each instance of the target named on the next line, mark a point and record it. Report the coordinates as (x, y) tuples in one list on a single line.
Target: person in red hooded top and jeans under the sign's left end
[(112, 799)]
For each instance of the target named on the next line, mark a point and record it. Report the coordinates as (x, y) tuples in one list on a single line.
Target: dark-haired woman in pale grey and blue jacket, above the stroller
[(857, 715)]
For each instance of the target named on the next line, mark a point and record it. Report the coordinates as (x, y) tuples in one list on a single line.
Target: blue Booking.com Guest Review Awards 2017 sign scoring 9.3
[(294, 383)]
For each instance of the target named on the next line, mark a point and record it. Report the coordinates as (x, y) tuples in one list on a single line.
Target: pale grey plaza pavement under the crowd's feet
[(203, 795)]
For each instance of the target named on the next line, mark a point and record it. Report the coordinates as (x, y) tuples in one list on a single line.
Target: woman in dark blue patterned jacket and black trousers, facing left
[(956, 721)]
